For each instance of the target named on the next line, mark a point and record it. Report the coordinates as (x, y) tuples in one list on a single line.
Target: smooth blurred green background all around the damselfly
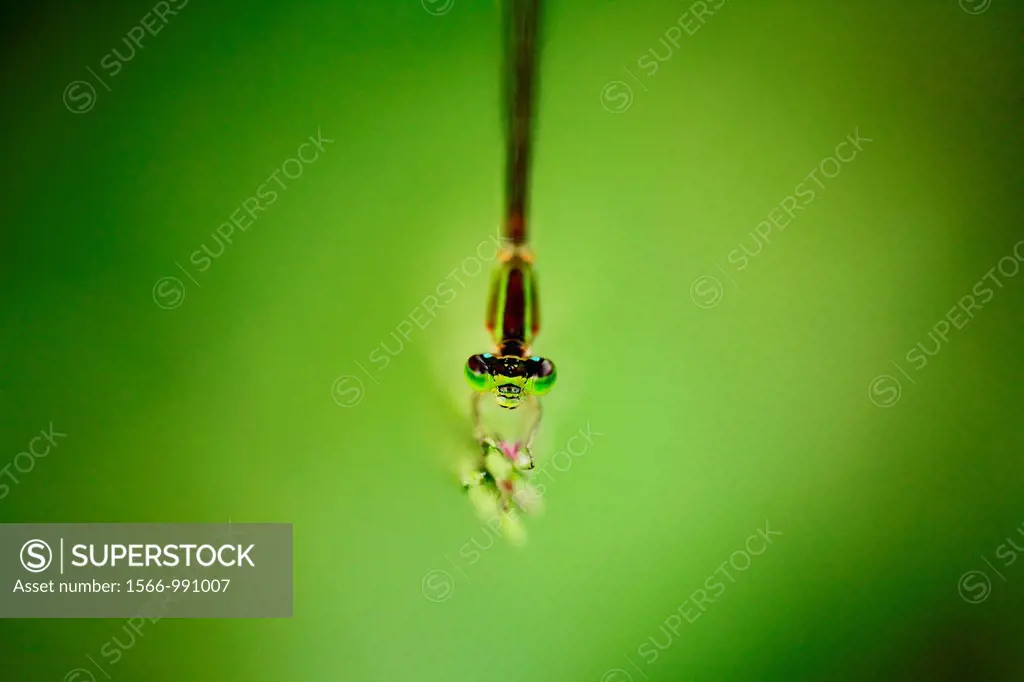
[(721, 405)]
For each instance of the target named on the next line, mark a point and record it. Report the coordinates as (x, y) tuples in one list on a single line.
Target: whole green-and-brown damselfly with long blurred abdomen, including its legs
[(513, 374)]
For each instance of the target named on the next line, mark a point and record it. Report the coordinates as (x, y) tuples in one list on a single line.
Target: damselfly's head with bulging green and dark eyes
[(509, 378)]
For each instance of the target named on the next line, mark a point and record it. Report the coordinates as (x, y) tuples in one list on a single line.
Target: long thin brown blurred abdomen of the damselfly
[(523, 24)]
